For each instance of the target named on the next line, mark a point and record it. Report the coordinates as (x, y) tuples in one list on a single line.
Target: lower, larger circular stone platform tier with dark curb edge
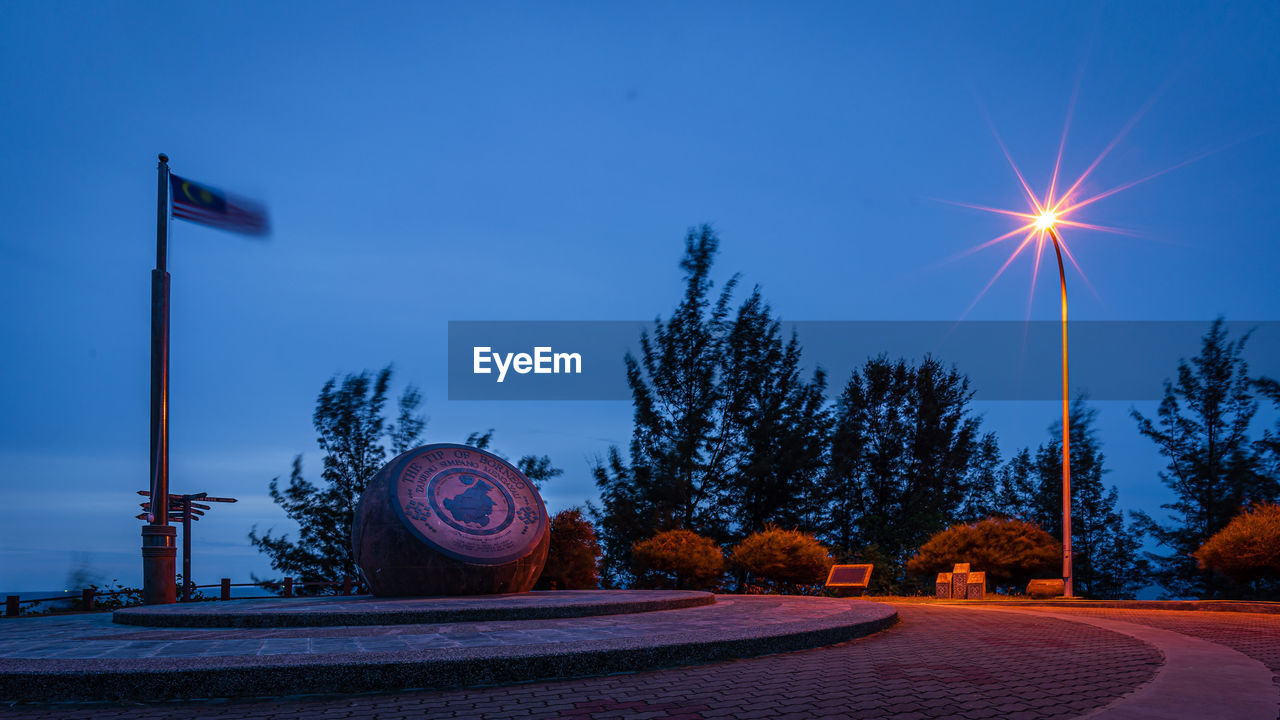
[(79, 658)]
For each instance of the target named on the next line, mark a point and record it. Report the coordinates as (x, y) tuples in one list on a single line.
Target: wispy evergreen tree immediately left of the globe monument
[(353, 435)]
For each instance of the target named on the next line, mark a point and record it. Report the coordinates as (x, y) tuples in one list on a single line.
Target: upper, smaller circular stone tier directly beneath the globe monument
[(365, 610)]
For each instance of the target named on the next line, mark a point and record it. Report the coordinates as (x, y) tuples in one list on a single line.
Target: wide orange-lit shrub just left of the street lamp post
[(1009, 552)]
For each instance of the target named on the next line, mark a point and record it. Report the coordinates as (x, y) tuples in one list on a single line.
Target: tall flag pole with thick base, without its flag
[(159, 552)]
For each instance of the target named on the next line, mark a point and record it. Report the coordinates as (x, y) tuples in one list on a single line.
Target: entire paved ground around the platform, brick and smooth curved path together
[(939, 660)]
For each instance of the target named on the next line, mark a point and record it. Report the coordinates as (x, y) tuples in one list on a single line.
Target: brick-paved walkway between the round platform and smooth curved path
[(938, 663)]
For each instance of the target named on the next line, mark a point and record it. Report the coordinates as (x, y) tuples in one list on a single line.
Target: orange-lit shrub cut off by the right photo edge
[(1249, 548)]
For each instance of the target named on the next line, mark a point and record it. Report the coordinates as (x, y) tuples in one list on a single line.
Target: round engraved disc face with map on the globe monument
[(470, 505)]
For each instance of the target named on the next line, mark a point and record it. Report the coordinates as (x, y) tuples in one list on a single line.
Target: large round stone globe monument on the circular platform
[(450, 520)]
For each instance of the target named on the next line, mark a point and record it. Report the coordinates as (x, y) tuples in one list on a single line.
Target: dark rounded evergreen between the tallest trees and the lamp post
[(902, 457)]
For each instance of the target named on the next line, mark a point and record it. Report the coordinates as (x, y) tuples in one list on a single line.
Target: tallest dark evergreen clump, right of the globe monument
[(728, 436)]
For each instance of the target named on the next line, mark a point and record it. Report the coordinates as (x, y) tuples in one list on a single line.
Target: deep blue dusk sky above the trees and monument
[(427, 163)]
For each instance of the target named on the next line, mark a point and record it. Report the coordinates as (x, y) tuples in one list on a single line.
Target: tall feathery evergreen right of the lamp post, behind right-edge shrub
[(1203, 429)]
